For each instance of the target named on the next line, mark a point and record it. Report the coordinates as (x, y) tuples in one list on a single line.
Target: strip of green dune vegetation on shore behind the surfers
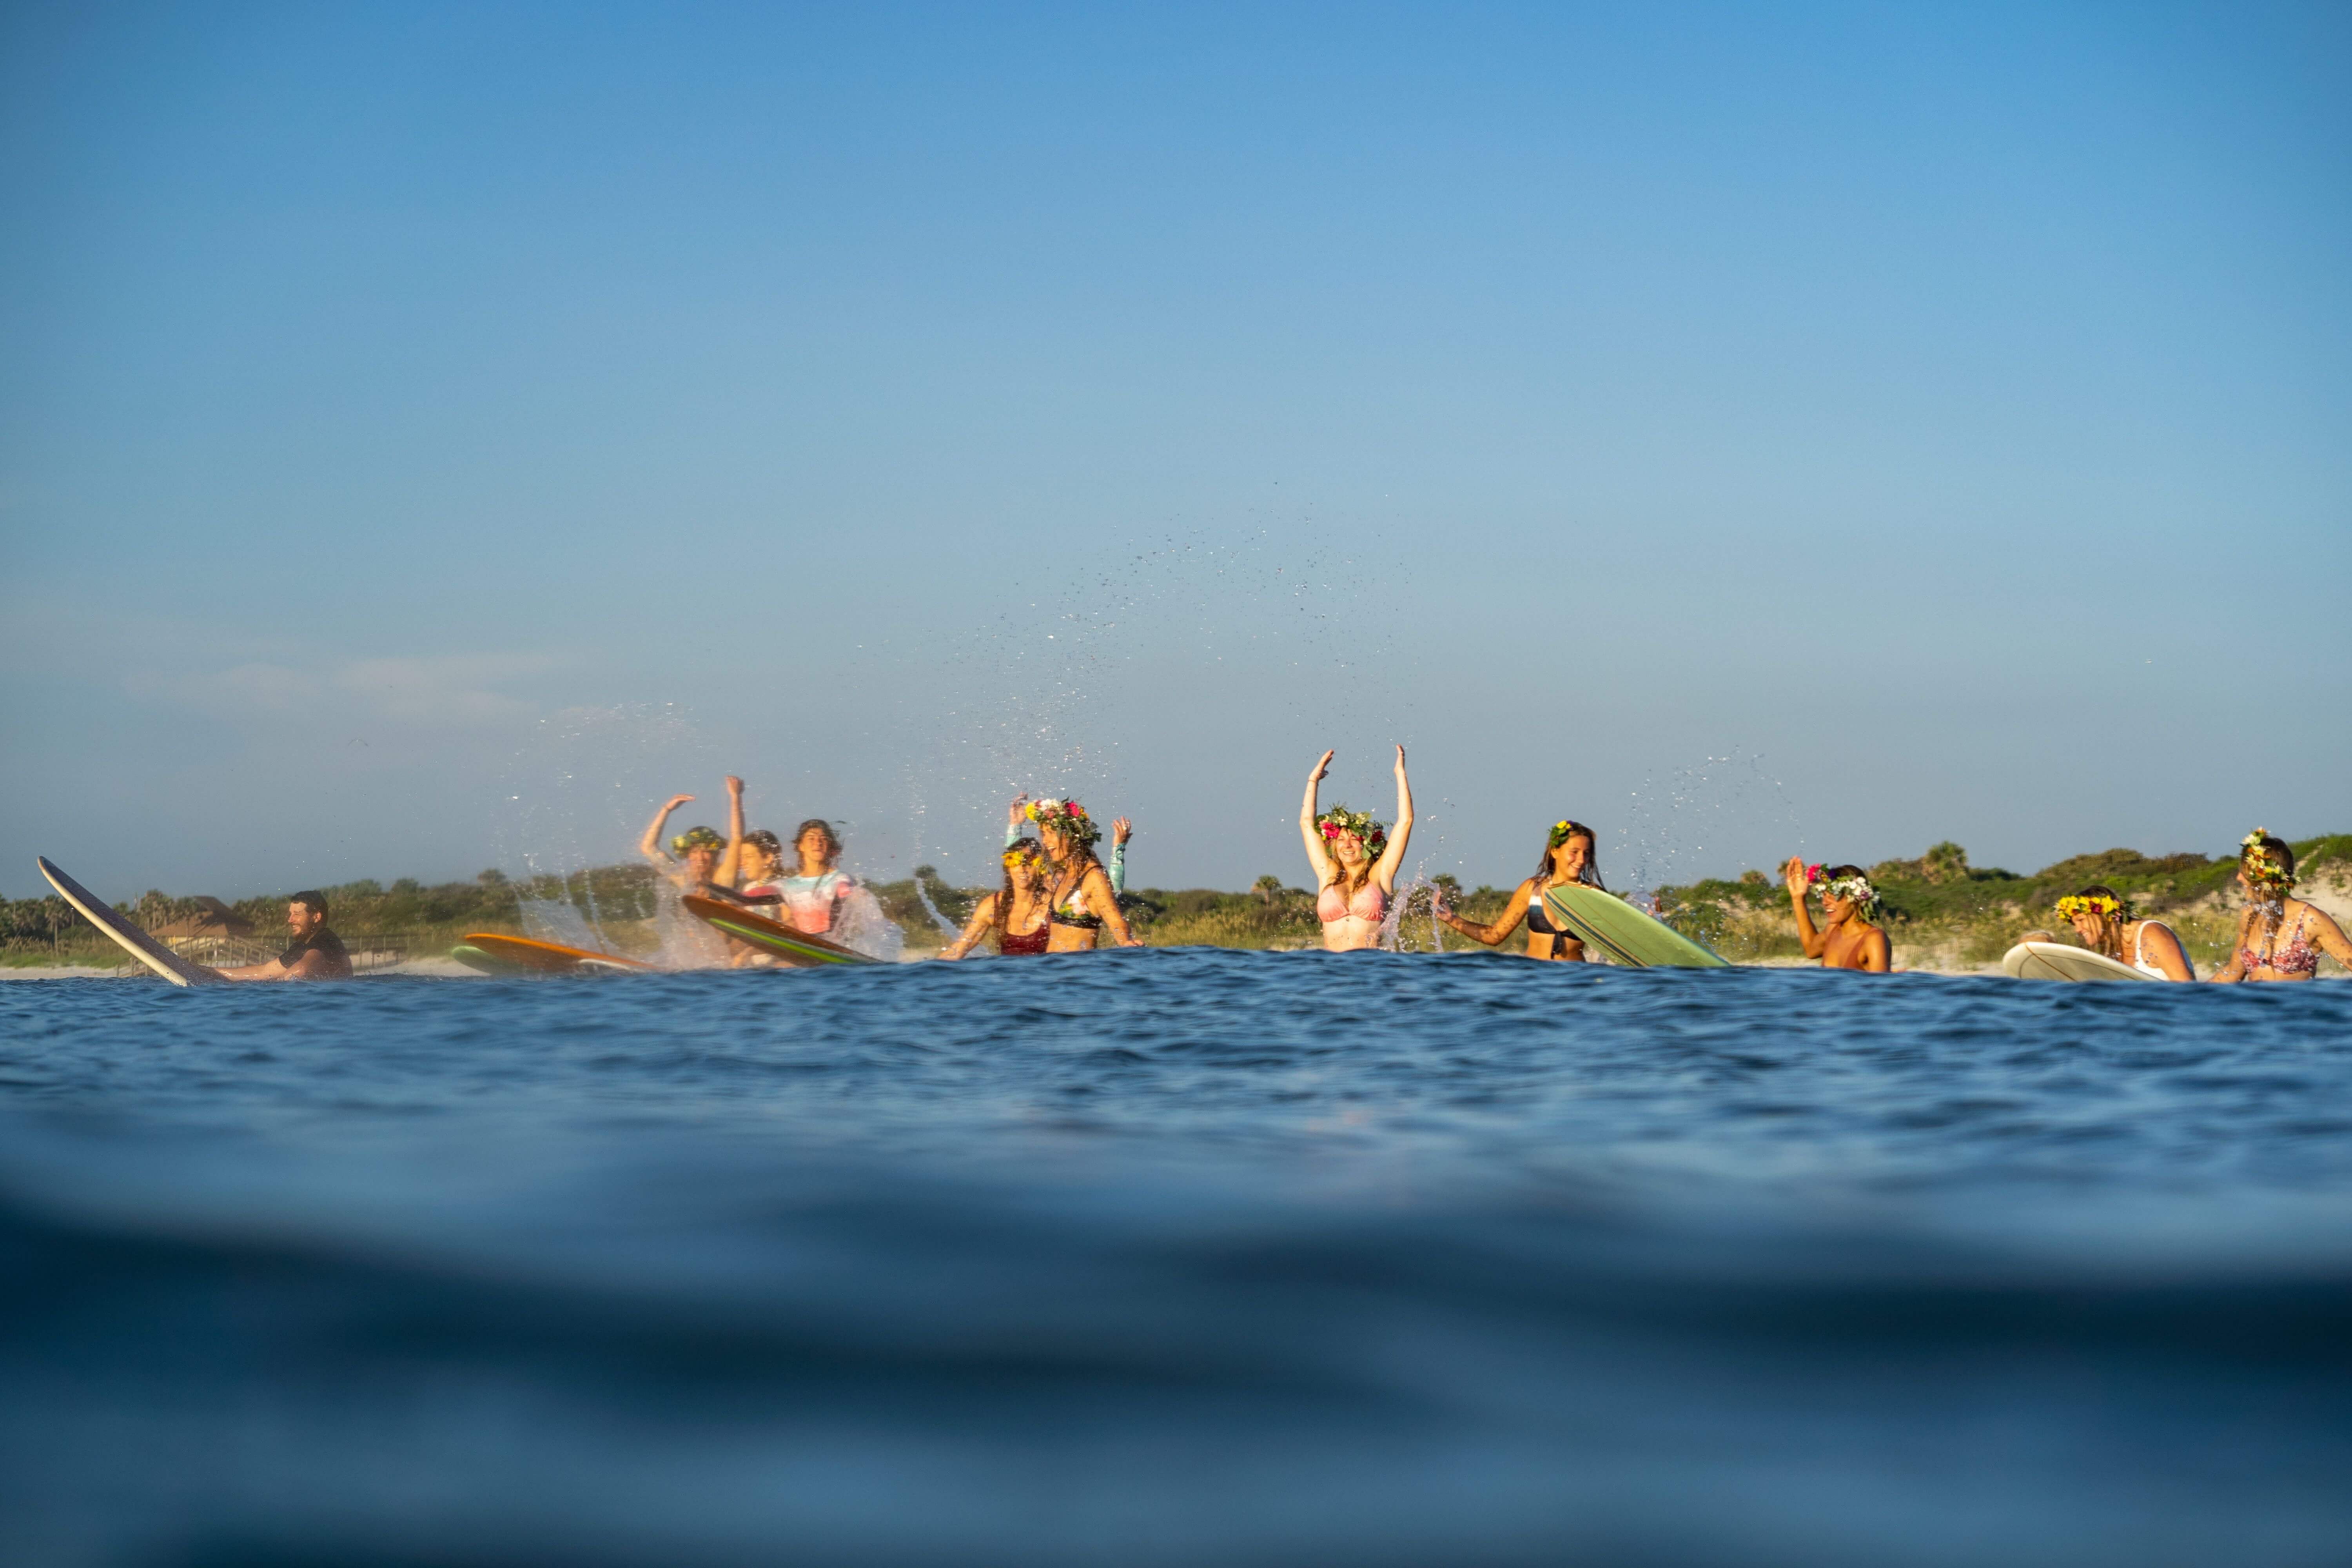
[(1939, 911)]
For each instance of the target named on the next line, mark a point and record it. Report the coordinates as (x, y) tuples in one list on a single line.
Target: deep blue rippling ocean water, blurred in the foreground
[(1177, 1257)]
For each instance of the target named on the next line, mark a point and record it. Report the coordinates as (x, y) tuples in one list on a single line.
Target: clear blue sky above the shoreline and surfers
[(432, 436)]
